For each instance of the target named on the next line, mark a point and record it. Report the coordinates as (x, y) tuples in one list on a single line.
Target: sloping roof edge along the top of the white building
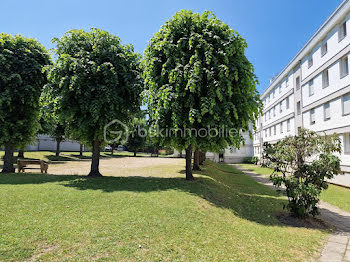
[(309, 45)]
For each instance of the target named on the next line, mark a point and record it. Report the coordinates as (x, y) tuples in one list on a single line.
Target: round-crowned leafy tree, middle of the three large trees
[(96, 80)]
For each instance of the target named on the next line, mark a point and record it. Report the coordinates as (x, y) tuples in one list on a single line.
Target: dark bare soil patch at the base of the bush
[(309, 222)]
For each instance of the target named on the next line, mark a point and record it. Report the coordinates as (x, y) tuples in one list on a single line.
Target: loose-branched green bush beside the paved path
[(302, 164)]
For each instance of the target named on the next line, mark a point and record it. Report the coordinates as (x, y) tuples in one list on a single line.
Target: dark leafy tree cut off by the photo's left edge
[(21, 81)]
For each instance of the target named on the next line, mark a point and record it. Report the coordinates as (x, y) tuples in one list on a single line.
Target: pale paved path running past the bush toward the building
[(337, 248)]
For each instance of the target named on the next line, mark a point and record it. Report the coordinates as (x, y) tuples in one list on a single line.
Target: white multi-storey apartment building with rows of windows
[(313, 90)]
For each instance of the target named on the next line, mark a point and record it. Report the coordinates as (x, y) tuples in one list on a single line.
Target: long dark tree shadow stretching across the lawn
[(236, 192)]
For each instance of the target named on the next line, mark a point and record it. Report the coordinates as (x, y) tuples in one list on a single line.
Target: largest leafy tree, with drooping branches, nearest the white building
[(196, 76)]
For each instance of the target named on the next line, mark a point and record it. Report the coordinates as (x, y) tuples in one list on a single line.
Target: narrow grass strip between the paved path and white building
[(335, 195)]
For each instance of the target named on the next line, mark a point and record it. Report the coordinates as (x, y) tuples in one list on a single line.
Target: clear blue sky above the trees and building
[(274, 29)]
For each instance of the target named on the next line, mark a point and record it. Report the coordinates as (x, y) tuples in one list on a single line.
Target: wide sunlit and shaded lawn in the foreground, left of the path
[(221, 216)]
